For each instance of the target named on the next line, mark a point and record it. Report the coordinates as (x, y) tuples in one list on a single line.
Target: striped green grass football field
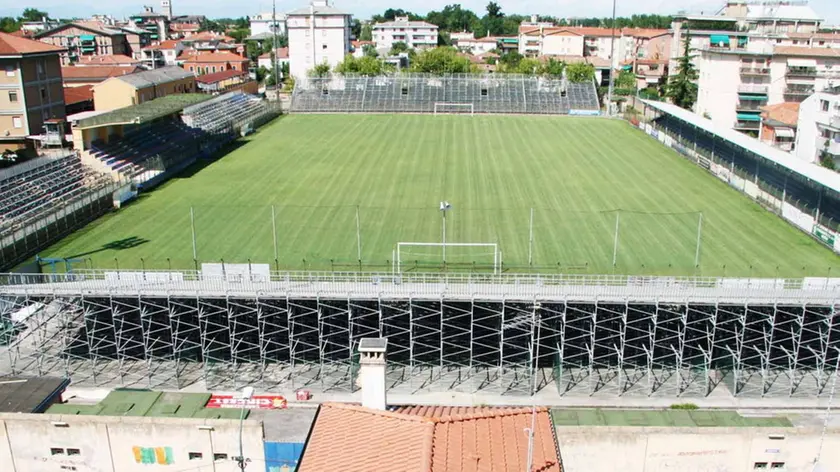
[(578, 174)]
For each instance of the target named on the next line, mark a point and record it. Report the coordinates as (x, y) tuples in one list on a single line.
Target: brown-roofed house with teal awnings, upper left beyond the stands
[(81, 39)]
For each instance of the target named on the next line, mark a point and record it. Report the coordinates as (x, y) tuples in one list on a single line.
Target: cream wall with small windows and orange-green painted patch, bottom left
[(31, 443)]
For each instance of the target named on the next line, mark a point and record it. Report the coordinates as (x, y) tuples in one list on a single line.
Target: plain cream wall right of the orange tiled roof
[(636, 449)]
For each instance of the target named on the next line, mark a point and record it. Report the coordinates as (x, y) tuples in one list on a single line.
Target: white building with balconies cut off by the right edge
[(818, 128)]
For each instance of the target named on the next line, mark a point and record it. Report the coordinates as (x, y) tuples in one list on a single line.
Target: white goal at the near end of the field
[(436, 253)]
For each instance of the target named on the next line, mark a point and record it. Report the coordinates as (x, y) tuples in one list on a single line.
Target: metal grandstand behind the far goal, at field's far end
[(419, 93)]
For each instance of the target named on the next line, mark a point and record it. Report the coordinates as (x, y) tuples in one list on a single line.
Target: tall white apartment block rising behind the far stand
[(318, 34)]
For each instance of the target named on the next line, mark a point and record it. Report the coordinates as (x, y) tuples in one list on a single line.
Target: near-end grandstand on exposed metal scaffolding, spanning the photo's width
[(601, 336)]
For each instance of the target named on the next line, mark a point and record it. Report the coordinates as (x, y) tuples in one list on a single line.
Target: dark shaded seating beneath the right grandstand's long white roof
[(795, 187)]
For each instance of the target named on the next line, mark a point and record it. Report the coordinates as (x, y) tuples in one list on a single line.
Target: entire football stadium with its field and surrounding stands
[(501, 241)]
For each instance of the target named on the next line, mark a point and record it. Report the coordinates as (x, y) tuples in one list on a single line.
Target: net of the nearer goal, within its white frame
[(421, 257)]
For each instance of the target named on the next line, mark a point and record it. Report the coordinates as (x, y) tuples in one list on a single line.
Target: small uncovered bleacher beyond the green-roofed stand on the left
[(224, 111)]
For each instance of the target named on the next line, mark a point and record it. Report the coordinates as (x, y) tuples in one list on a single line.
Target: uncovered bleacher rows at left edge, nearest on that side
[(27, 195)]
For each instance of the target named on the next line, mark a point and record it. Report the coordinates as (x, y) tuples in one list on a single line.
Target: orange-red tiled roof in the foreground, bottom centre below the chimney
[(352, 438)]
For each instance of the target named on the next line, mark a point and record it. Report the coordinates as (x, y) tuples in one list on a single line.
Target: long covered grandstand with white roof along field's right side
[(804, 194)]
